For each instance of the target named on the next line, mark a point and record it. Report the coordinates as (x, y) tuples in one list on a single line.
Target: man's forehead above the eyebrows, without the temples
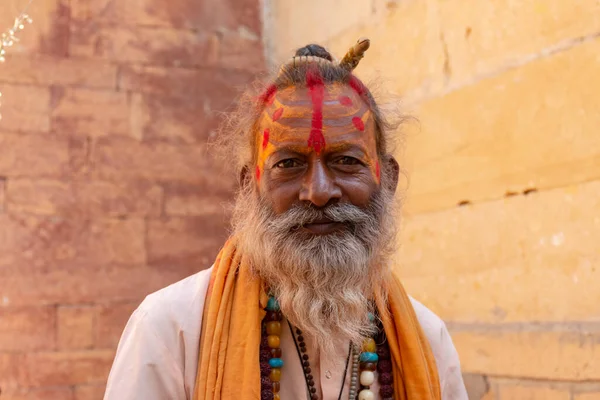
[(340, 113)]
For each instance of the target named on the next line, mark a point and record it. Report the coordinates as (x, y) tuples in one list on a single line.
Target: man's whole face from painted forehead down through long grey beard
[(318, 226)]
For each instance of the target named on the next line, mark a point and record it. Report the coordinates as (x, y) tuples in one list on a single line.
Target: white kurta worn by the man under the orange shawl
[(157, 357)]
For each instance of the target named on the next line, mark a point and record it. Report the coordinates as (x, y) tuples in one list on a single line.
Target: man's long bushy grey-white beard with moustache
[(324, 284)]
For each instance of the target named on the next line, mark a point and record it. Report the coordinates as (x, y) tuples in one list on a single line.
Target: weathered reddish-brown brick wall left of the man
[(107, 191)]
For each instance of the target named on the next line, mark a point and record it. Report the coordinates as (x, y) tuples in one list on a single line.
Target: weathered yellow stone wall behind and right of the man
[(501, 228)]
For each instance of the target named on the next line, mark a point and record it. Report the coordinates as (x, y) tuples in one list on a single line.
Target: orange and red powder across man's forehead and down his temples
[(342, 117)]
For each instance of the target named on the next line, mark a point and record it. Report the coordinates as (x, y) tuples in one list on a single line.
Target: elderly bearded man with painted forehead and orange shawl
[(301, 302)]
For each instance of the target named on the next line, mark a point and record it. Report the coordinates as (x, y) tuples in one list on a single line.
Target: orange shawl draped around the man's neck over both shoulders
[(229, 346)]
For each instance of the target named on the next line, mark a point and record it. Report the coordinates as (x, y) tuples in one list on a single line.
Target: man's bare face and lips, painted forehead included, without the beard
[(296, 164)]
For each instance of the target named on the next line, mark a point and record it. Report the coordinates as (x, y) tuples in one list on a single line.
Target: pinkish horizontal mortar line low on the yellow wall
[(575, 327)]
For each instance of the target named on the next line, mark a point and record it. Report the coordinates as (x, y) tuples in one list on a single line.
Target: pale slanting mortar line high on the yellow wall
[(547, 52)]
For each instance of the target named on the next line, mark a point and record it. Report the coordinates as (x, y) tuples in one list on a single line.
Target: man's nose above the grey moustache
[(319, 186)]
